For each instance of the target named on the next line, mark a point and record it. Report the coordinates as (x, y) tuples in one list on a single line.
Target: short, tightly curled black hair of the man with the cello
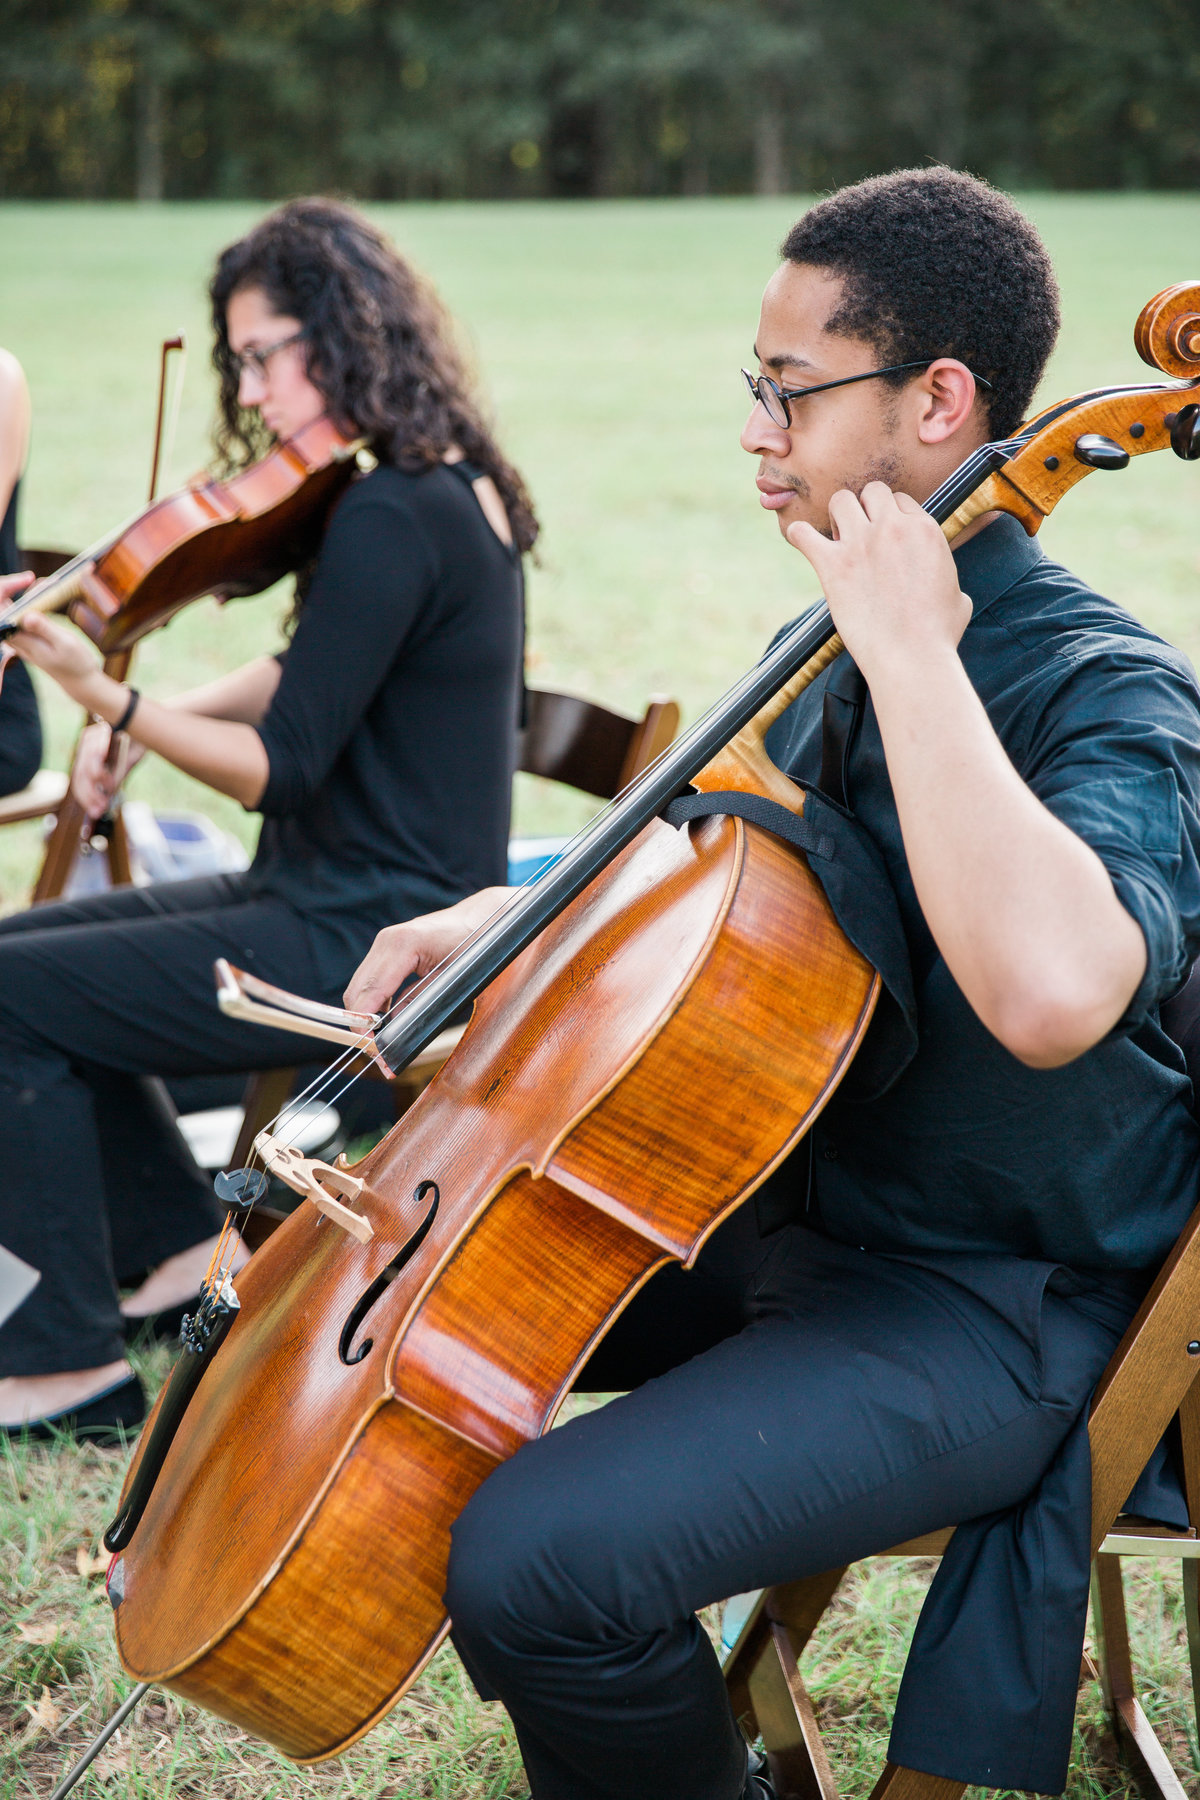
[(938, 264)]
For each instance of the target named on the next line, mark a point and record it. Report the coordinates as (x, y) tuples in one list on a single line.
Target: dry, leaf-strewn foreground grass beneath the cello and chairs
[(440, 1743)]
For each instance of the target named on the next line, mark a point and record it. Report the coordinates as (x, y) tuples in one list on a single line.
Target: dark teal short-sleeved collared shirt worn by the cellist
[(1093, 1165)]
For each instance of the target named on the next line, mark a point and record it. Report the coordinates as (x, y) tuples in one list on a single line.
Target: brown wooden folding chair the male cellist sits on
[(1147, 1383)]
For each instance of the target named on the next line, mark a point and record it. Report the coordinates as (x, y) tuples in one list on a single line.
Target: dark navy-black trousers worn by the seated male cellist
[(863, 1401)]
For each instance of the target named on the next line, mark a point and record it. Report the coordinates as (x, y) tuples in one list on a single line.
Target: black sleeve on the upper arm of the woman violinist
[(373, 577)]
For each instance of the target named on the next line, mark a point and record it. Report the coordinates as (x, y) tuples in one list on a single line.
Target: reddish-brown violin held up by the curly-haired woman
[(215, 537)]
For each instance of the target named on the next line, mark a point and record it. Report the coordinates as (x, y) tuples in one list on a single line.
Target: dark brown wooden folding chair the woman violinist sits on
[(566, 739)]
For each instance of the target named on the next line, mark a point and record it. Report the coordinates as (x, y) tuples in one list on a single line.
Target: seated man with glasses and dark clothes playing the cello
[(906, 1327)]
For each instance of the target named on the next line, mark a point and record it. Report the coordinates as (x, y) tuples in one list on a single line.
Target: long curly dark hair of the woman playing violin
[(379, 341)]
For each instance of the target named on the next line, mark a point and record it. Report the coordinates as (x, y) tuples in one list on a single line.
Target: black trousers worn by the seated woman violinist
[(96, 998)]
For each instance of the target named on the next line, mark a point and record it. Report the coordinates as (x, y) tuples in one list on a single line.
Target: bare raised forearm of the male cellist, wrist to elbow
[(1021, 908)]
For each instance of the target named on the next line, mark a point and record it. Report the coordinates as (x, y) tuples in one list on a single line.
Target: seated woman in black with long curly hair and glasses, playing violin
[(379, 750)]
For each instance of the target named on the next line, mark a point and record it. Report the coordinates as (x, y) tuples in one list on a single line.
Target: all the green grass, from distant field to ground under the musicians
[(611, 337)]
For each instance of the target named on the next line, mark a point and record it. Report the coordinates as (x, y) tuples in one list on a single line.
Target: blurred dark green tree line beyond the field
[(393, 100)]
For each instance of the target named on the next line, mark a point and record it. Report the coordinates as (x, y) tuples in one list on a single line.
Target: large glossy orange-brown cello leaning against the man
[(658, 1021)]
